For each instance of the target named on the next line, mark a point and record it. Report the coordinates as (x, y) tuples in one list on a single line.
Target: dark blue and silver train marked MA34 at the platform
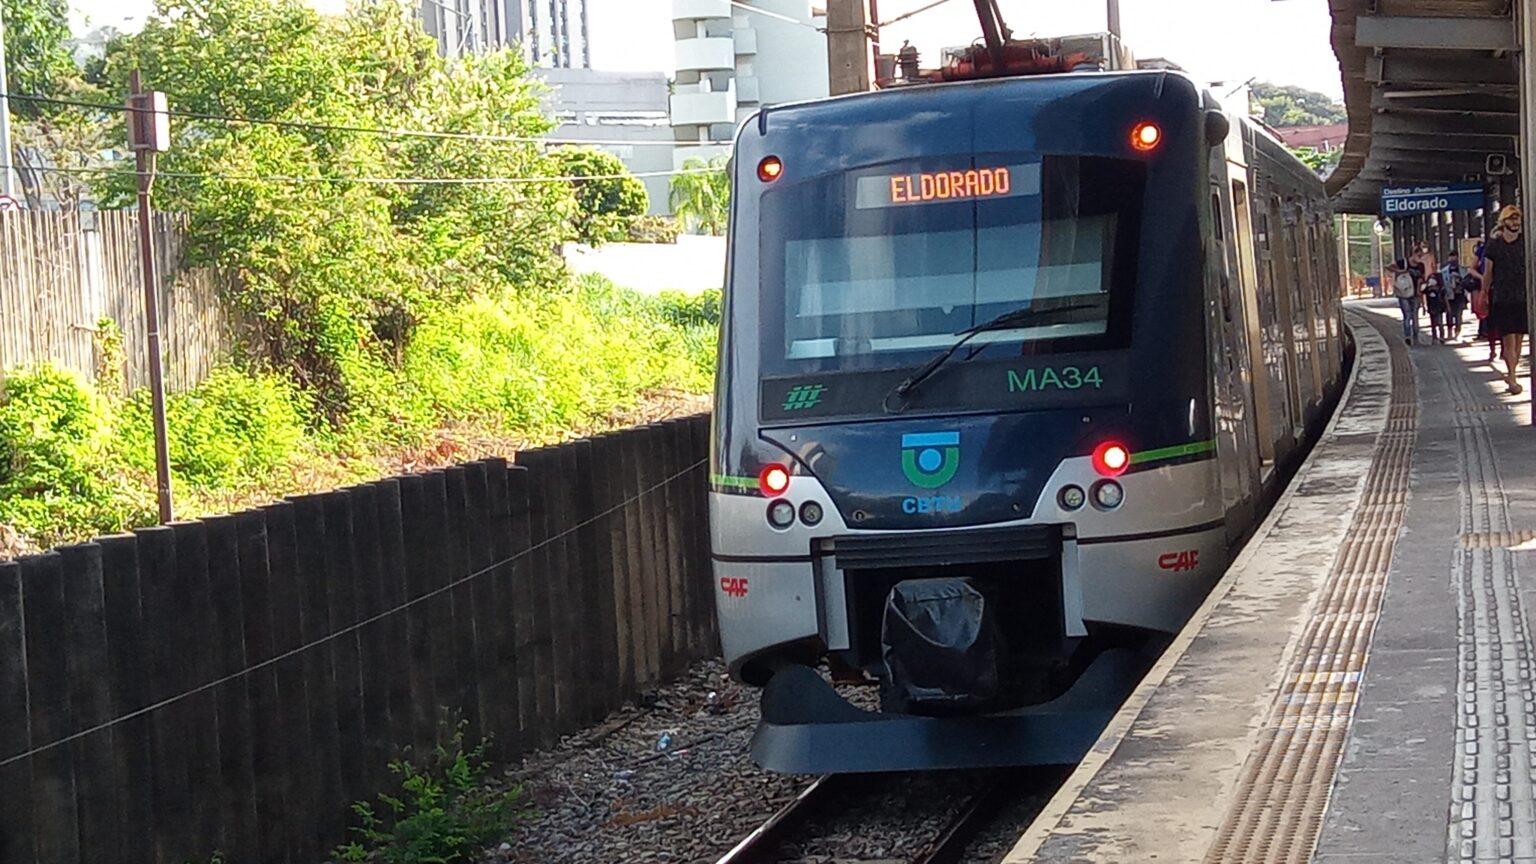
[(1008, 370)]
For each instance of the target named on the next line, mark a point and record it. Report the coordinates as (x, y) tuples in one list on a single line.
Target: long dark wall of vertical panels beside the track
[(234, 683)]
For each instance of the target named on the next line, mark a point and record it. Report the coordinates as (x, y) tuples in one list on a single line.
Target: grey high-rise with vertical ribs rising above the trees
[(552, 33)]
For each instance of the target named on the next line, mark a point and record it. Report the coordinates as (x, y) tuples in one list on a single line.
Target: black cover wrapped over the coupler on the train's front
[(939, 646)]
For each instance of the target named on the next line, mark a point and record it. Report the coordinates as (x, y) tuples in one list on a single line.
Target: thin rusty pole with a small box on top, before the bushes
[(150, 135)]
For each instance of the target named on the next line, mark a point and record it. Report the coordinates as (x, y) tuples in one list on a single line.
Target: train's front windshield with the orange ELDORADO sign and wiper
[(879, 268)]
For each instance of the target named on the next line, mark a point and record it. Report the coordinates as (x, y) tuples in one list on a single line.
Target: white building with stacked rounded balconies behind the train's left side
[(733, 61)]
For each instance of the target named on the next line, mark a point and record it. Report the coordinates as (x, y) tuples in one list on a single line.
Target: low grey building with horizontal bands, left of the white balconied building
[(627, 111)]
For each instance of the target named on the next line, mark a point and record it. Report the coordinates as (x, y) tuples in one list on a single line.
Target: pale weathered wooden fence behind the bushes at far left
[(61, 273)]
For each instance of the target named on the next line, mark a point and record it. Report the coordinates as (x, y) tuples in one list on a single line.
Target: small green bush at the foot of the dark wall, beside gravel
[(443, 812)]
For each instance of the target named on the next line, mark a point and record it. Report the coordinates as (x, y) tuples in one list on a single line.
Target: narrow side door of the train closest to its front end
[(1236, 448)]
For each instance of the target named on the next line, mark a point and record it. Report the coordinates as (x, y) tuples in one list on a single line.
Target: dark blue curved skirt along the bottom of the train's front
[(809, 728)]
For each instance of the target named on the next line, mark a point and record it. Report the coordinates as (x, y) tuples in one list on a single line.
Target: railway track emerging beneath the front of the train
[(841, 796)]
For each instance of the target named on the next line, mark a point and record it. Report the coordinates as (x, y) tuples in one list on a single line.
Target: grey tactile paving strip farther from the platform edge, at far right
[(1492, 817)]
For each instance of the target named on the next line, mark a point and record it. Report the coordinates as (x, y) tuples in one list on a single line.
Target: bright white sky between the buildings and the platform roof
[(1285, 42)]
